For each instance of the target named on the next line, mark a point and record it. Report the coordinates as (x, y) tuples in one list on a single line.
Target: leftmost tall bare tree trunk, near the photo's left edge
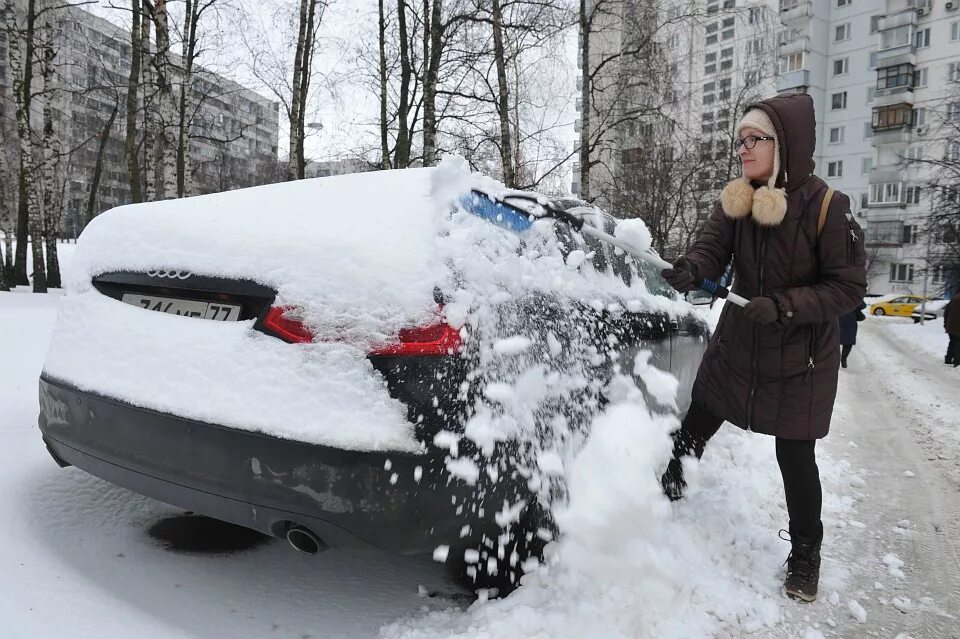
[(21, 67)]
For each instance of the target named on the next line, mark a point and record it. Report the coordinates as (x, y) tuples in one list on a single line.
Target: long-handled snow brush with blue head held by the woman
[(516, 218)]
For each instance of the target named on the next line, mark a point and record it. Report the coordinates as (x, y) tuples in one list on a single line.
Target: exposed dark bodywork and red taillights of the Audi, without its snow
[(322, 495)]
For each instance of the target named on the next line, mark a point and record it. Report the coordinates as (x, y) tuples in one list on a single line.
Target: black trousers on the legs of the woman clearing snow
[(797, 460)]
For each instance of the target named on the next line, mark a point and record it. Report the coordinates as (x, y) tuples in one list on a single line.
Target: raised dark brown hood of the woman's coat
[(795, 122)]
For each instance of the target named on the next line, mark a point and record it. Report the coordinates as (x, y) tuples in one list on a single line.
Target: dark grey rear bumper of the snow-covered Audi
[(251, 479)]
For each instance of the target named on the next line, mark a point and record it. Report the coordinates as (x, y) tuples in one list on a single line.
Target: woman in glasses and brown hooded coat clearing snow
[(772, 366)]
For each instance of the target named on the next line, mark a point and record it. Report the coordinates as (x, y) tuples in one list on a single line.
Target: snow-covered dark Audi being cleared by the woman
[(301, 358)]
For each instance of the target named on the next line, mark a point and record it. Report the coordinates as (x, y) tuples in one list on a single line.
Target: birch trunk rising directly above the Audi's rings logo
[(167, 138)]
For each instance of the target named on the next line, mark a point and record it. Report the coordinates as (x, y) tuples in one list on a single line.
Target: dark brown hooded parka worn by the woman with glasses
[(780, 378)]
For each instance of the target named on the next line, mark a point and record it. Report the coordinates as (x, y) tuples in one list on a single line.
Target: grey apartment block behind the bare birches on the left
[(234, 132)]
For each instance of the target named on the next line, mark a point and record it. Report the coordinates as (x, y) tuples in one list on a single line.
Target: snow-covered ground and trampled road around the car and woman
[(77, 556)]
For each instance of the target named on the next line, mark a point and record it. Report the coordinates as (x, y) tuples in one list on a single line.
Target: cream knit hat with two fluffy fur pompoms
[(768, 204)]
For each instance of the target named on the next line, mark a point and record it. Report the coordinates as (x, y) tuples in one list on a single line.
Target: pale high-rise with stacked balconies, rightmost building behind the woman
[(878, 71)]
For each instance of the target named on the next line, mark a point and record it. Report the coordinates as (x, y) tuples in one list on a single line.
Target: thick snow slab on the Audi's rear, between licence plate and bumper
[(226, 373)]
